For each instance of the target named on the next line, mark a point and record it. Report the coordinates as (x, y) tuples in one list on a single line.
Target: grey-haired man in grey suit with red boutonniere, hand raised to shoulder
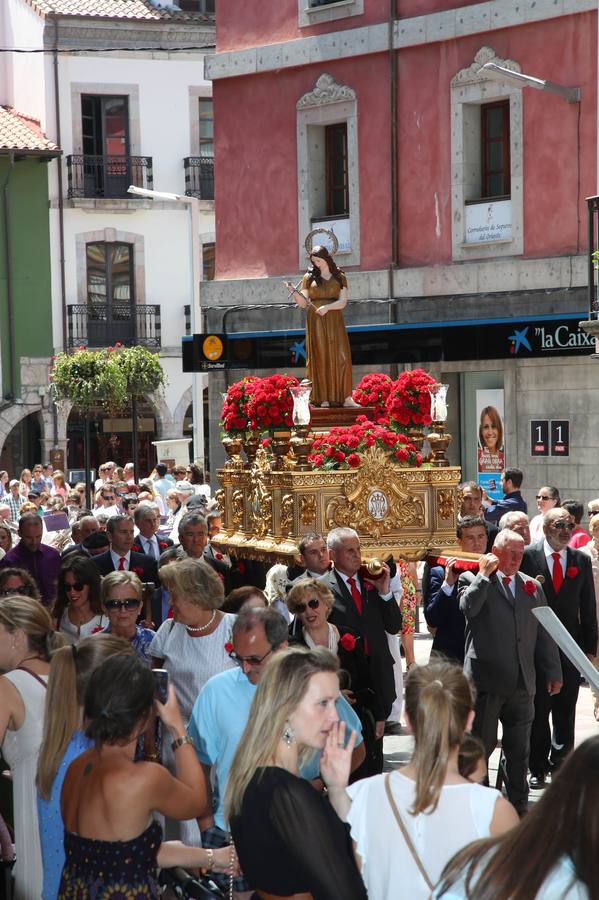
[(503, 638)]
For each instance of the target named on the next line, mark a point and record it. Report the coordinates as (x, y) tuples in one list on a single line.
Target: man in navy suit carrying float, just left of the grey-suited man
[(440, 594)]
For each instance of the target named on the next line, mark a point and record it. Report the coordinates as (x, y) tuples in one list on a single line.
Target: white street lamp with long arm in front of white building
[(197, 395)]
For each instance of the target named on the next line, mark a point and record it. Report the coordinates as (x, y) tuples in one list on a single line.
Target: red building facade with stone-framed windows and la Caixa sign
[(456, 190)]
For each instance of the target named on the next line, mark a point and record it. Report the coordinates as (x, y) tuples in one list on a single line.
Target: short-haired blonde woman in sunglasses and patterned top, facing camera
[(122, 602)]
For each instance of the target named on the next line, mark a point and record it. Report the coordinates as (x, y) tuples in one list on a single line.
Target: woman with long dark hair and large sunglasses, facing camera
[(78, 608)]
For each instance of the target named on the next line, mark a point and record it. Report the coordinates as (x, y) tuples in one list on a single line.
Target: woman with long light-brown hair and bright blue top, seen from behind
[(64, 740)]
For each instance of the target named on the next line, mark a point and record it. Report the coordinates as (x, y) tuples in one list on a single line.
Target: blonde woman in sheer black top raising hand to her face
[(288, 837)]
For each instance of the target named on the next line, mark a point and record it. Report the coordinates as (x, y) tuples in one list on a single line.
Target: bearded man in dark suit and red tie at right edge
[(567, 579)]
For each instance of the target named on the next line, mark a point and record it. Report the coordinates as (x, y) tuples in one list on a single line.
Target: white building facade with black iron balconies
[(120, 84)]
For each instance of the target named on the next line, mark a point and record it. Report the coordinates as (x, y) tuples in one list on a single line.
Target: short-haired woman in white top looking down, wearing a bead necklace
[(191, 646)]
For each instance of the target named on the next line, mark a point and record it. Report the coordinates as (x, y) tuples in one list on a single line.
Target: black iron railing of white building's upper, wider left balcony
[(107, 176)]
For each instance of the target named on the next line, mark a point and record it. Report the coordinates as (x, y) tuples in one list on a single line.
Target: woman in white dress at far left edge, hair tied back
[(27, 640)]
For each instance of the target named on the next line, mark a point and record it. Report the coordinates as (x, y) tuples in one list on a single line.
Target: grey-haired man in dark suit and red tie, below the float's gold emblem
[(369, 609)]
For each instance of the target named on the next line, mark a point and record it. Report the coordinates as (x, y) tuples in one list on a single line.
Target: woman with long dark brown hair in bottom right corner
[(551, 855)]
